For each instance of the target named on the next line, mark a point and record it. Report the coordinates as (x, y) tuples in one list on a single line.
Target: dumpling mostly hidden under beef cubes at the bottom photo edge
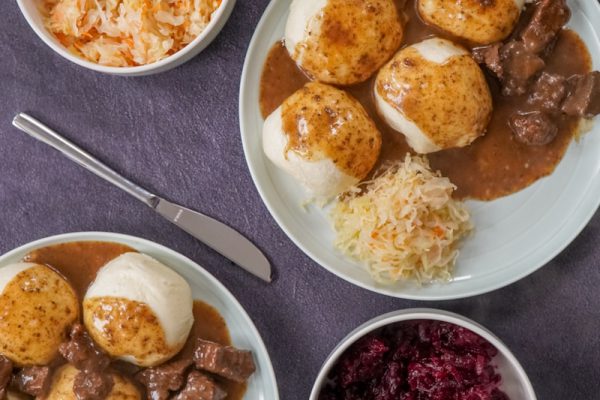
[(62, 386)]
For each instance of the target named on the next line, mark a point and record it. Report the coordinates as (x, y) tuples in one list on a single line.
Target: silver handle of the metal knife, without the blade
[(41, 132)]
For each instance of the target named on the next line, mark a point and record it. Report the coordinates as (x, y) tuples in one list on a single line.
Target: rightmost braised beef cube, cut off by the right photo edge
[(584, 97)]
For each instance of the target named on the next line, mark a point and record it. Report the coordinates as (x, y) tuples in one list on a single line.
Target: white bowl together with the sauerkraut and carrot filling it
[(127, 37)]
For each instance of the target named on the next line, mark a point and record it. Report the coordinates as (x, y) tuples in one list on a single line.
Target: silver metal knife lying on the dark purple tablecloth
[(220, 237)]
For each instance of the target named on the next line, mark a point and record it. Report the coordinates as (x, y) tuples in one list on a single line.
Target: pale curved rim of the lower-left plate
[(84, 236)]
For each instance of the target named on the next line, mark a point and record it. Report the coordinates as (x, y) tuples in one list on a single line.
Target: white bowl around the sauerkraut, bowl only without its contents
[(29, 8)]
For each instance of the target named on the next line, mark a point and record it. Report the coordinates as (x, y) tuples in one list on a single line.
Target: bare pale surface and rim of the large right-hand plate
[(514, 235)]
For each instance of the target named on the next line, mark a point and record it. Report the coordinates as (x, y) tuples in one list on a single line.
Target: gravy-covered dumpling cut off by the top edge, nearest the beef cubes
[(479, 21)]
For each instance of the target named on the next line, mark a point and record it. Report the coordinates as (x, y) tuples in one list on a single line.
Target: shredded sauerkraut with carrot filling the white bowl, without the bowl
[(124, 33)]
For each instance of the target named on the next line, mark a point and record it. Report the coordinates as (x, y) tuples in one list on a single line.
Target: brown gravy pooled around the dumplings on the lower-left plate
[(80, 261)]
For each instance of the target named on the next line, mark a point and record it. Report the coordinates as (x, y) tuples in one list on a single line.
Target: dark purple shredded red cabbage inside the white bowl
[(420, 360)]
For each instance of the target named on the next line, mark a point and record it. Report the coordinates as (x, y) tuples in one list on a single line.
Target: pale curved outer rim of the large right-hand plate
[(587, 198)]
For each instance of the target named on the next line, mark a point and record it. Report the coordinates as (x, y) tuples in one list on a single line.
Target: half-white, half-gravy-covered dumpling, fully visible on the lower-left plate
[(139, 310)]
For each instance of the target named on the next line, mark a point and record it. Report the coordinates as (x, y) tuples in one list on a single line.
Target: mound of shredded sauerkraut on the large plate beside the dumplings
[(403, 224)]
